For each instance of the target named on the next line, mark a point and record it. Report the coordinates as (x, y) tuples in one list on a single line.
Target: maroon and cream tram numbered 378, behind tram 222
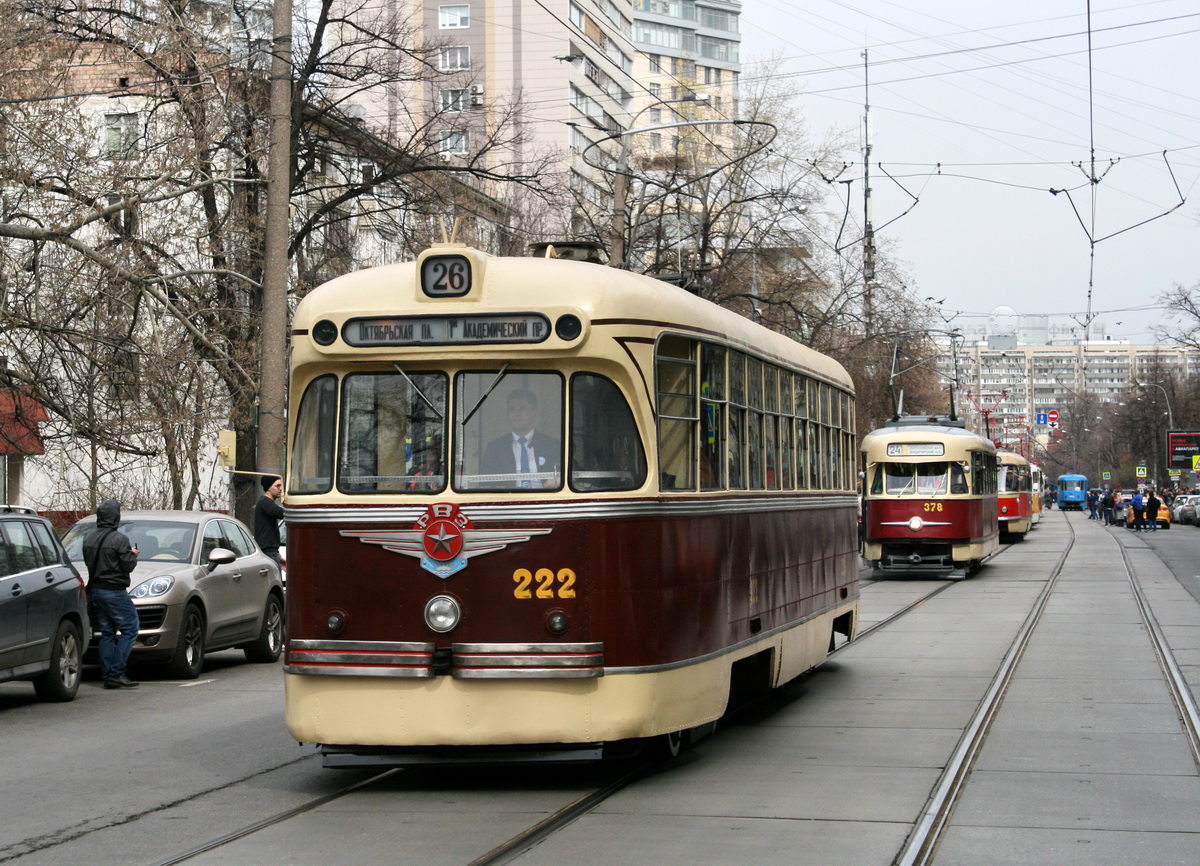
[(929, 497)]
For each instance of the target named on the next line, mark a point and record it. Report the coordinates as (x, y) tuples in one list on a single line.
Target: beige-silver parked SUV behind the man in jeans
[(201, 586)]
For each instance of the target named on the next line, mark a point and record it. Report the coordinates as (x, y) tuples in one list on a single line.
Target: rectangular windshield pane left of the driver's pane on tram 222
[(394, 434)]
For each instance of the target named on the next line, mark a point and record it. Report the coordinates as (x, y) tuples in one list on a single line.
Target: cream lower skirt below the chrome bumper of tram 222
[(377, 712)]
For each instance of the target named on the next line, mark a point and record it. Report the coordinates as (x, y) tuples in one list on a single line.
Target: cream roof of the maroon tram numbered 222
[(598, 293)]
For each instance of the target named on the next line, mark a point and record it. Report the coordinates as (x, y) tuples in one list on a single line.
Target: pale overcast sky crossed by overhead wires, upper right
[(979, 110)]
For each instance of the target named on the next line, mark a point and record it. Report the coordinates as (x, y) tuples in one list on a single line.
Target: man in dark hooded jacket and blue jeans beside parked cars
[(111, 560)]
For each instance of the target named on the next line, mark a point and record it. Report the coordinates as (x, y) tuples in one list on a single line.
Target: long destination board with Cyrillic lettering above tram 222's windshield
[(446, 330)]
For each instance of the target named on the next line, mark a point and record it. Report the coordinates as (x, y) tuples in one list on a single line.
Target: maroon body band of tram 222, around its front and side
[(652, 590)]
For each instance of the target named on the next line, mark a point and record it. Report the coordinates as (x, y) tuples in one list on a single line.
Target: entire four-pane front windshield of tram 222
[(400, 432)]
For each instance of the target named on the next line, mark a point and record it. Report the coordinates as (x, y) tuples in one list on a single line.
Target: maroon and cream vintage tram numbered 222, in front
[(545, 510)]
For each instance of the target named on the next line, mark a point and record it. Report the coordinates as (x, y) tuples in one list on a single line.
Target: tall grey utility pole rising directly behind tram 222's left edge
[(274, 339)]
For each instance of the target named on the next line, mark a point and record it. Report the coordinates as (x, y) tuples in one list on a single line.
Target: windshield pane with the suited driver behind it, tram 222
[(509, 431)]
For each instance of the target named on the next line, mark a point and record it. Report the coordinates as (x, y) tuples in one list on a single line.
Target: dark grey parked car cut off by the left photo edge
[(44, 609)]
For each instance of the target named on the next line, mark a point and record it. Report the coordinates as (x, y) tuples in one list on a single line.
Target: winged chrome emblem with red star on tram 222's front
[(443, 539)]
